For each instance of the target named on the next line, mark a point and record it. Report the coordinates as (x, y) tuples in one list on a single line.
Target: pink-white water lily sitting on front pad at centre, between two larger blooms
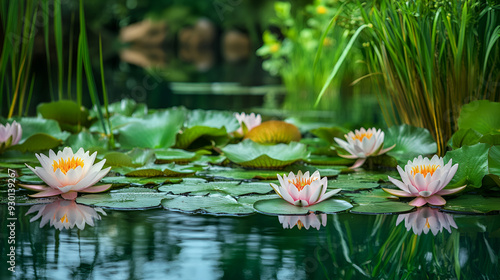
[(302, 189)]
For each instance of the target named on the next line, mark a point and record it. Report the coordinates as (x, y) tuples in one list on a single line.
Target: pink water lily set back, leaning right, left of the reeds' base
[(363, 143)]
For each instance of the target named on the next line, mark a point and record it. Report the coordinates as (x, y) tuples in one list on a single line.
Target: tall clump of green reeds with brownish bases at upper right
[(433, 57)]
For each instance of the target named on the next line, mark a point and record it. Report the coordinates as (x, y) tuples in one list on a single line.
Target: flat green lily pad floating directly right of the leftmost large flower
[(124, 199)]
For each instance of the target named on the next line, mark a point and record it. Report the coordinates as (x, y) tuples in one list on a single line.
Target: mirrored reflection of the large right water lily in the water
[(425, 219)]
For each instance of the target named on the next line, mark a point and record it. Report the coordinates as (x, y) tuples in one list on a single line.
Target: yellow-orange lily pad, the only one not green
[(274, 132)]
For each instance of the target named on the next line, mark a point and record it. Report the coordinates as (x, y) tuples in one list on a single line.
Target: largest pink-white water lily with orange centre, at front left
[(68, 173)]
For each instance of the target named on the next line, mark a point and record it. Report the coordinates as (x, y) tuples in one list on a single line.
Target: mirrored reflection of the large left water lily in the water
[(65, 214)]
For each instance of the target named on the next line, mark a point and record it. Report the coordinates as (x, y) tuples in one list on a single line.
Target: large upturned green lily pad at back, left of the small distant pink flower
[(156, 130)]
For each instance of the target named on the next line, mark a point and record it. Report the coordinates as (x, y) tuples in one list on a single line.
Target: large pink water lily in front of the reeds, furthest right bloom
[(425, 180)]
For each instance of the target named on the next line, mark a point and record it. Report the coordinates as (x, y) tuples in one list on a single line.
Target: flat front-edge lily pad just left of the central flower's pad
[(214, 205)]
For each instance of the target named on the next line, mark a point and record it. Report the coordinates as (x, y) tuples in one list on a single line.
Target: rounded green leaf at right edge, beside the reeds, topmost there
[(481, 115)]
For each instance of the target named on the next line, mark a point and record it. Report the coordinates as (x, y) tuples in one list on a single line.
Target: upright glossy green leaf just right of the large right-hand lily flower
[(472, 165)]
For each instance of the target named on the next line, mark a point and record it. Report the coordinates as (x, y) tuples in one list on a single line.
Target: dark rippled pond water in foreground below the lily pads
[(159, 244)]
